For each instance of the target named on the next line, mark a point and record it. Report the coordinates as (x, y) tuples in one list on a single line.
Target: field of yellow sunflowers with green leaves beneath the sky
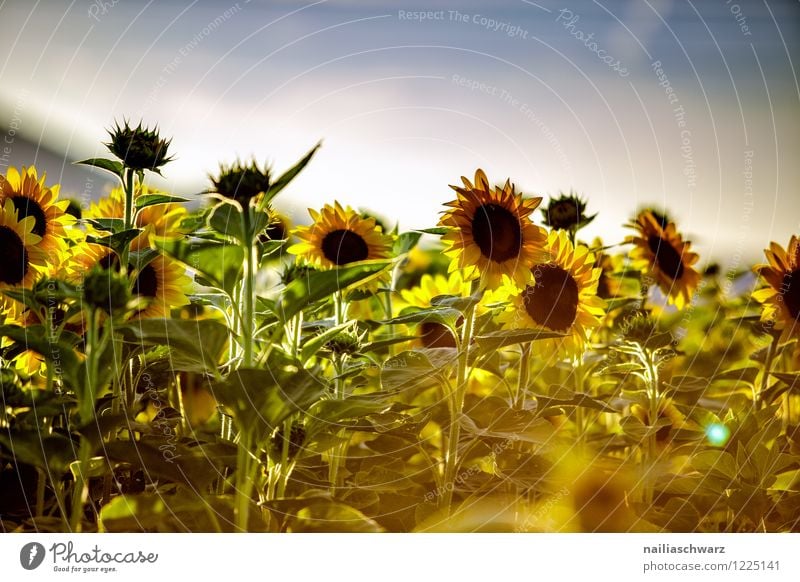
[(179, 367)]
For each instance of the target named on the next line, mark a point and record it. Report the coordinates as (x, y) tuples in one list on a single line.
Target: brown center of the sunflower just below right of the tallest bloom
[(553, 299)]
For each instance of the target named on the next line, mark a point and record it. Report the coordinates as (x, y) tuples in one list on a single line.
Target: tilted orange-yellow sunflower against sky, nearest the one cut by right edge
[(665, 256)]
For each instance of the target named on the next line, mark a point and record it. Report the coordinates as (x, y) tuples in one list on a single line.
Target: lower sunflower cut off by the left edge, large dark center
[(23, 257)]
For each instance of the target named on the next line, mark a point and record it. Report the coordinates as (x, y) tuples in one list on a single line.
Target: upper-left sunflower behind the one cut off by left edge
[(33, 199)]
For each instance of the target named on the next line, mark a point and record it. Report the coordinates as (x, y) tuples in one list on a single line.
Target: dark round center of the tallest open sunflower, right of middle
[(497, 232)]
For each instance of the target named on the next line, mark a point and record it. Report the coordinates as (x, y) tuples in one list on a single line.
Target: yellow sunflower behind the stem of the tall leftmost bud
[(158, 220)]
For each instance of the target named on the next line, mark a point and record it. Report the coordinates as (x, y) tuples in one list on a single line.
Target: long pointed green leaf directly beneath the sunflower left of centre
[(319, 285)]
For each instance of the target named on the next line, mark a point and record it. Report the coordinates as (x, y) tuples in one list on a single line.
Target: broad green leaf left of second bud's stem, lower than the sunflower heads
[(195, 346)]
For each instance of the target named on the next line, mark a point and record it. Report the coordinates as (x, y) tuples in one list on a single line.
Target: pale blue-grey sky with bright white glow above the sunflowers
[(688, 105)]
